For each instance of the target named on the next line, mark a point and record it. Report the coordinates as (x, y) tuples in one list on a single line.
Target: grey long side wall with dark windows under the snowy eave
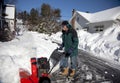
[(100, 26)]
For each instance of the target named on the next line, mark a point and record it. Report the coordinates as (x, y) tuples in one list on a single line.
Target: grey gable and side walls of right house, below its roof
[(80, 22)]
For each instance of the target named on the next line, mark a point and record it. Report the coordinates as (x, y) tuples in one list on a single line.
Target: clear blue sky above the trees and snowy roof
[(66, 6)]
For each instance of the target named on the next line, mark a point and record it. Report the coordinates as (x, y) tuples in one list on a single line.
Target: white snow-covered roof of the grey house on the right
[(105, 15)]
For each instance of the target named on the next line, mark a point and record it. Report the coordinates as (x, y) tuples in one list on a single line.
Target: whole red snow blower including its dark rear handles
[(40, 69)]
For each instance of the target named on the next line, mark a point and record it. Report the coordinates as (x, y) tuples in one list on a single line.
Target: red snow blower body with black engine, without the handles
[(39, 71)]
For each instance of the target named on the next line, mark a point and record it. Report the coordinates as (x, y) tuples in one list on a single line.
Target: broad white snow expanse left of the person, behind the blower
[(17, 53)]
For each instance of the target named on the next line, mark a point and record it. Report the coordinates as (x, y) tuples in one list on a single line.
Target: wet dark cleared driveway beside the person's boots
[(91, 70)]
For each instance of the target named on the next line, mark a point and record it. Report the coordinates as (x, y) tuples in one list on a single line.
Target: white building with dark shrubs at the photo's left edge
[(7, 21)]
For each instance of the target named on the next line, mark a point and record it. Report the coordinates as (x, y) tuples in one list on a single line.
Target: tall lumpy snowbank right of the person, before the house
[(105, 45)]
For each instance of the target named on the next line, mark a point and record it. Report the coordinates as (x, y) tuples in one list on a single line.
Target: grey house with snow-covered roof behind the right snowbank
[(96, 22)]
